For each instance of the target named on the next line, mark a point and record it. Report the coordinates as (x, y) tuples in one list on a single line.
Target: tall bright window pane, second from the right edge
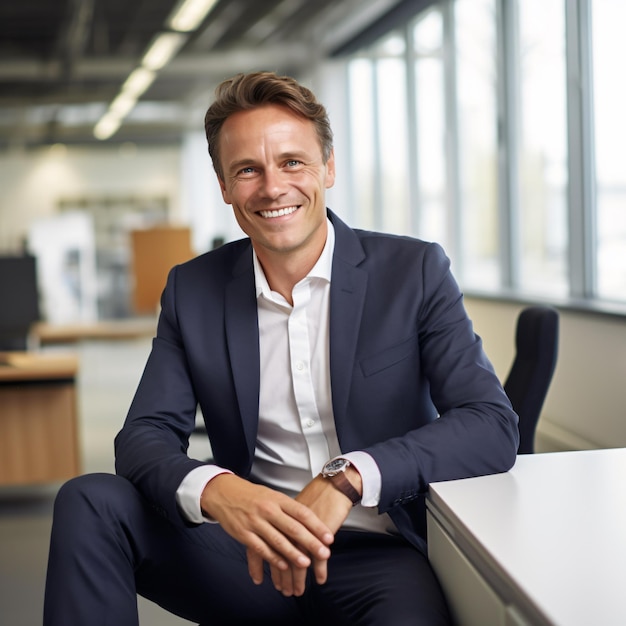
[(542, 157)]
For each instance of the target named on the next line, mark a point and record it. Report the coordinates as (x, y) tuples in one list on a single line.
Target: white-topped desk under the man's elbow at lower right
[(542, 544)]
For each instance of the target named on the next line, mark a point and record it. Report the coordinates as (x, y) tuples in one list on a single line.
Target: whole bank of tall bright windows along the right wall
[(496, 127)]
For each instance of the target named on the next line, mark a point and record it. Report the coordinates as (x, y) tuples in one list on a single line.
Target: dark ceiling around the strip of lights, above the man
[(62, 62)]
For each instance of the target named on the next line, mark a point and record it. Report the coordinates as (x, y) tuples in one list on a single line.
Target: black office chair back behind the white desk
[(536, 343)]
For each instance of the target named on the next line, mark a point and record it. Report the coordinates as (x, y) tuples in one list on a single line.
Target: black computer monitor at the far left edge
[(19, 300)]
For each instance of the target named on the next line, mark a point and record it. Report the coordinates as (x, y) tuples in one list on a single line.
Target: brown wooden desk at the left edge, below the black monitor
[(38, 418)]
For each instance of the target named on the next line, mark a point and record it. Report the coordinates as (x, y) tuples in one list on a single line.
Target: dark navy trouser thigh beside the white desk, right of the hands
[(376, 580)]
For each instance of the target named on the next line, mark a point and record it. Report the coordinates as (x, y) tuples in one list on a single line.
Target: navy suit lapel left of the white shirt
[(242, 338)]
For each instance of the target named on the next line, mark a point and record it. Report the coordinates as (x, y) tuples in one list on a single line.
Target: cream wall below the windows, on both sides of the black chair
[(586, 403)]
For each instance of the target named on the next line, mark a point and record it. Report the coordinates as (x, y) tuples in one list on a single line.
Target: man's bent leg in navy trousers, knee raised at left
[(109, 544)]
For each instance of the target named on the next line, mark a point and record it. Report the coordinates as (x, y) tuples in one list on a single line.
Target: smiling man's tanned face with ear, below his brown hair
[(275, 179)]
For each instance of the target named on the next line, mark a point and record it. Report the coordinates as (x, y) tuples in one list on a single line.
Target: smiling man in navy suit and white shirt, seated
[(337, 374)]
